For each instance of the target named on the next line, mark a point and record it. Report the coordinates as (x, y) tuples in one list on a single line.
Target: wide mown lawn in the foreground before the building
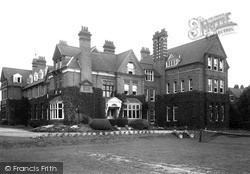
[(136, 154)]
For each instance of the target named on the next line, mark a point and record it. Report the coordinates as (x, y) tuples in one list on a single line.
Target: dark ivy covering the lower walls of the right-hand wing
[(192, 109)]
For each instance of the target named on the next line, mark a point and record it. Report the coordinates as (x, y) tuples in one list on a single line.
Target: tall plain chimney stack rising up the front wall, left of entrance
[(85, 61)]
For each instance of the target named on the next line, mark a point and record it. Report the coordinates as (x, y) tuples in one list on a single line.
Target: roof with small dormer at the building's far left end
[(7, 73)]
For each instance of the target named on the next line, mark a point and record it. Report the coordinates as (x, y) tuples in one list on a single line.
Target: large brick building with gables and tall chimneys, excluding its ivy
[(198, 66)]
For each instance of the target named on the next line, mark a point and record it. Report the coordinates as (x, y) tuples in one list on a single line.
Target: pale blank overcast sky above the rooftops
[(30, 27)]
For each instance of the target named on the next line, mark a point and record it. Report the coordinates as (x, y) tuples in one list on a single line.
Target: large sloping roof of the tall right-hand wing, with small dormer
[(194, 51)]
